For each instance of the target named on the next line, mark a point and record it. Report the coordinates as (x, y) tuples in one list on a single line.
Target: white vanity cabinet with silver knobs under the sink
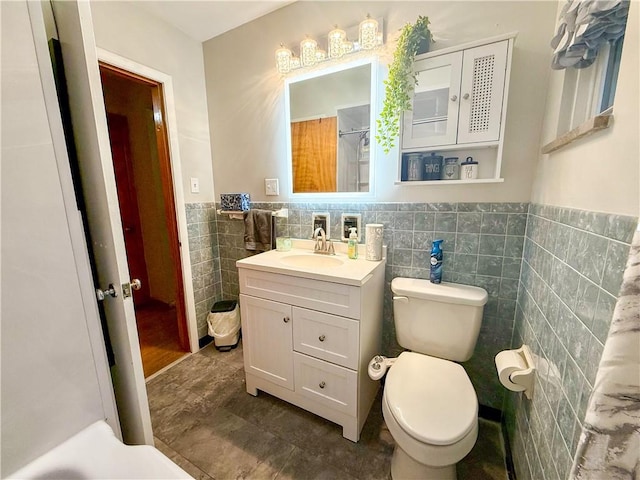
[(309, 341)]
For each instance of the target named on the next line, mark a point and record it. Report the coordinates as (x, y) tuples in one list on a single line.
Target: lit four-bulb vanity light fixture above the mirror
[(369, 33)]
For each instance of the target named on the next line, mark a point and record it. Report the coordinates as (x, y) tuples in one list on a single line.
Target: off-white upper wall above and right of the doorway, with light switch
[(127, 30)]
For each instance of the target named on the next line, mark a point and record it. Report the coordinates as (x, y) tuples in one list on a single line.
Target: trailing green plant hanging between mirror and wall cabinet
[(402, 80)]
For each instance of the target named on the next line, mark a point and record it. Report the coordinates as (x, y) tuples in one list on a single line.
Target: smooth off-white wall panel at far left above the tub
[(50, 386)]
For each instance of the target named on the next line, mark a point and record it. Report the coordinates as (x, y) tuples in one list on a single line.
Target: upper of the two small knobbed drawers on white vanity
[(326, 336)]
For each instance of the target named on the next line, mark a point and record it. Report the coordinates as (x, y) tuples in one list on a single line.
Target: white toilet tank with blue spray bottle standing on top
[(442, 320)]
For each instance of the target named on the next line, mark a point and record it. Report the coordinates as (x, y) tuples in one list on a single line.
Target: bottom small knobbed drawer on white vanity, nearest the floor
[(325, 383)]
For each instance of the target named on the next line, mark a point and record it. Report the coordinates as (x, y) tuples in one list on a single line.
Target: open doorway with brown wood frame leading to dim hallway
[(142, 167)]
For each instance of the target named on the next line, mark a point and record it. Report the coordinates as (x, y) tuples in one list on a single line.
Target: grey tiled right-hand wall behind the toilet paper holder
[(571, 272)]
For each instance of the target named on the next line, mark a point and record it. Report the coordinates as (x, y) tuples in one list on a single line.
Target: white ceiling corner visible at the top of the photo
[(202, 20)]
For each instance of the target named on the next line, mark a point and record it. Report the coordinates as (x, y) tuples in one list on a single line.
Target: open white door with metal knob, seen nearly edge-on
[(75, 31)]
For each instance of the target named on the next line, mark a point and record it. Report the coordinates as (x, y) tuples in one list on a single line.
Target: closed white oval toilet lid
[(432, 399)]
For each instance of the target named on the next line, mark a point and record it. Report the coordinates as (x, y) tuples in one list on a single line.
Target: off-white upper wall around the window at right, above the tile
[(600, 172)]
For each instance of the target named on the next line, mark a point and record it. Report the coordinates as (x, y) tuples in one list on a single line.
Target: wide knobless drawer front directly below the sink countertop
[(327, 297)]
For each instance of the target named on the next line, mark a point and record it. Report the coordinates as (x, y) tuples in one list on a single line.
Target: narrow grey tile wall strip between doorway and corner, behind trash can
[(205, 259)]
